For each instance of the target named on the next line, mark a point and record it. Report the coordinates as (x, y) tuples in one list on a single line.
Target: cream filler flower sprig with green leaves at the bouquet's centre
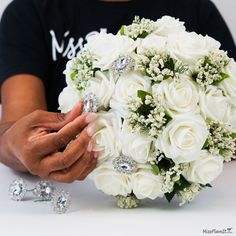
[(146, 114)]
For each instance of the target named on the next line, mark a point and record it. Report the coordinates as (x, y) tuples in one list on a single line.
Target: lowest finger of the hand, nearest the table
[(78, 171)]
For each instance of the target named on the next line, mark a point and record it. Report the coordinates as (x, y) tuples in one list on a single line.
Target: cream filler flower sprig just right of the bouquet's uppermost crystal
[(159, 66)]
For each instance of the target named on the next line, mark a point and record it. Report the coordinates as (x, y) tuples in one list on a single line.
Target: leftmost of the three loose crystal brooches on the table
[(17, 189)]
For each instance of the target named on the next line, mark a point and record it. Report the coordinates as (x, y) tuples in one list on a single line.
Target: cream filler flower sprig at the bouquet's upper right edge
[(210, 69)]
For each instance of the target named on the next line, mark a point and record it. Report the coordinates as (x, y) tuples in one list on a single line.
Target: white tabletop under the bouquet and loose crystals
[(93, 213)]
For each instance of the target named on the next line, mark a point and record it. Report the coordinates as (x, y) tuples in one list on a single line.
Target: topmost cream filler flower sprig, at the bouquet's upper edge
[(140, 28)]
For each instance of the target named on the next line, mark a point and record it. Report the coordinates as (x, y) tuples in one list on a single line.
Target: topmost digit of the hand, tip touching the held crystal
[(55, 121)]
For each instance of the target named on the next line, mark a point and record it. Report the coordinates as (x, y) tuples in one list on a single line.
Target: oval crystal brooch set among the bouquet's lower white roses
[(125, 165)]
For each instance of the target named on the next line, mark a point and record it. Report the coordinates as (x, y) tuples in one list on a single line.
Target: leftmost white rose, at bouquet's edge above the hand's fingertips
[(68, 98)]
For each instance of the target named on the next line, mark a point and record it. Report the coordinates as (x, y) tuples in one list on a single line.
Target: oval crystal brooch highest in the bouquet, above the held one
[(123, 64)]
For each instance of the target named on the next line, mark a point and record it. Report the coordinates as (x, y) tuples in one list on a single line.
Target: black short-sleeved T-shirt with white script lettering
[(39, 36)]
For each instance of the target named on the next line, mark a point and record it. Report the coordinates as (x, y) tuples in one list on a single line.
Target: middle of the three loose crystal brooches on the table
[(44, 190)]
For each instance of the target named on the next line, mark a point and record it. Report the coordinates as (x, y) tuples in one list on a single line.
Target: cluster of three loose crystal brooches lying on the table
[(44, 191)]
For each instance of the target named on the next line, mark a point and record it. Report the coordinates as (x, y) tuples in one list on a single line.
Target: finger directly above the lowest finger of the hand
[(63, 160)]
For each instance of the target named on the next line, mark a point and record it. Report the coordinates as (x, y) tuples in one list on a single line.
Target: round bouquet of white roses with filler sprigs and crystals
[(166, 109)]
